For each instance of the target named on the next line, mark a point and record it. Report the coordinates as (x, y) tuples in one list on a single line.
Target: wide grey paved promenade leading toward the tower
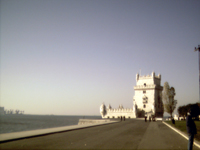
[(129, 134)]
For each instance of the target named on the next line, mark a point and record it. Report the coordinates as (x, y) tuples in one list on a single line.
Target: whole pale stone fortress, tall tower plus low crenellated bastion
[(147, 101)]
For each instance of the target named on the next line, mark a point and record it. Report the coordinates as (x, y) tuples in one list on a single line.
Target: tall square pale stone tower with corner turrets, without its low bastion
[(147, 97)]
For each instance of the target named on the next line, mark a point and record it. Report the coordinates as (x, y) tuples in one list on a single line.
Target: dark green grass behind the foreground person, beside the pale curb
[(181, 125)]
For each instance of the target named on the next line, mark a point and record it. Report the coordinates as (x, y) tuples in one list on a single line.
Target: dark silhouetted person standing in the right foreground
[(191, 129)]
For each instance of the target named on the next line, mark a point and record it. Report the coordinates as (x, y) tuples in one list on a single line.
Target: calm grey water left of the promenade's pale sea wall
[(16, 123)]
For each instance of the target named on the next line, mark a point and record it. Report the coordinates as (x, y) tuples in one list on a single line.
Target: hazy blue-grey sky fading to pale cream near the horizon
[(67, 57)]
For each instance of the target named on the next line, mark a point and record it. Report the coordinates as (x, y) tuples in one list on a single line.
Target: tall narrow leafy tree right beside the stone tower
[(168, 94)]
